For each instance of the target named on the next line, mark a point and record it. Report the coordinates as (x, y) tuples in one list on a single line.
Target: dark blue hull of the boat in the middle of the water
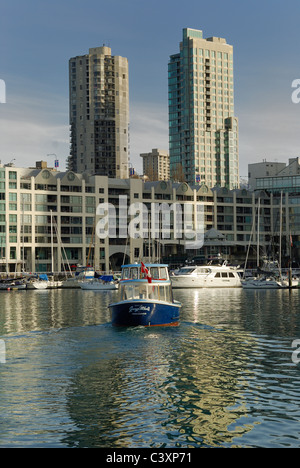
[(145, 313)]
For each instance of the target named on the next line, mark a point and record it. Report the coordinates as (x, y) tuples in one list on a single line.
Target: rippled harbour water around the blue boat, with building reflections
[(223, 378)]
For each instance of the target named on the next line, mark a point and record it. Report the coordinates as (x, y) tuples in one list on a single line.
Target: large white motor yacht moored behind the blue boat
[(207, 276)]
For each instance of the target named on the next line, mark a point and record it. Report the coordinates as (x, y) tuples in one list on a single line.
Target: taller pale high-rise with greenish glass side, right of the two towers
[(203, 131)]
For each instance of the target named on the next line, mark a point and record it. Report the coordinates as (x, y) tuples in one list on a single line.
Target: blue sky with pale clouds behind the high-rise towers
[(38, 37)]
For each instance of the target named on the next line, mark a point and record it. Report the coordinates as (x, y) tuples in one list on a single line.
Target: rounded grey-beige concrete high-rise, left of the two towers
[(99, 113)]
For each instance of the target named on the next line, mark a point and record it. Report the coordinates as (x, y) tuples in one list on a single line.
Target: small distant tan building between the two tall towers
[(156, 164)]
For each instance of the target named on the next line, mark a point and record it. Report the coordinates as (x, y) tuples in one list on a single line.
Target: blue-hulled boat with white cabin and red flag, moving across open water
[(145, 297)]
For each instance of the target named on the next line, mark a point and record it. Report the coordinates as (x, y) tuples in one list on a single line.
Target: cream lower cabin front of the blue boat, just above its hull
[(135, 291)]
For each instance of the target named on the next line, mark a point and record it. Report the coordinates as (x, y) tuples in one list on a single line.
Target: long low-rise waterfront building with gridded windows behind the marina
[(49, 219)]
